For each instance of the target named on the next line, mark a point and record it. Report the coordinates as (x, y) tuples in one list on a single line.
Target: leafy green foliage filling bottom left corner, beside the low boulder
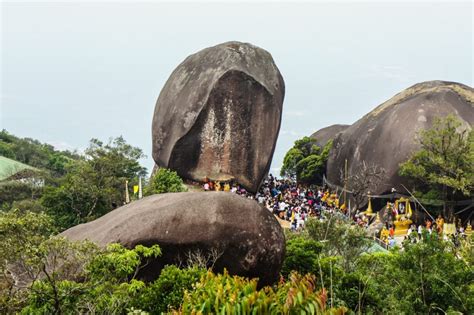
[(44, 274)]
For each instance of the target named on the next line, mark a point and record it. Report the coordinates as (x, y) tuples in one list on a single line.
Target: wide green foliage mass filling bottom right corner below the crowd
[(431, 276)]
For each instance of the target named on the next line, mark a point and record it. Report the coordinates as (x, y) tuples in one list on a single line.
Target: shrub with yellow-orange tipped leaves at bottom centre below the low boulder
[(224, 294)]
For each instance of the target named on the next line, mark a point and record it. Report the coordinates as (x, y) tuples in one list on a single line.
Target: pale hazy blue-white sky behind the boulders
[(78, 70)]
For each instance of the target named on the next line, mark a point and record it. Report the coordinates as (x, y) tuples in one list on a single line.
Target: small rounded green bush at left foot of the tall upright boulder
[(164, 181)]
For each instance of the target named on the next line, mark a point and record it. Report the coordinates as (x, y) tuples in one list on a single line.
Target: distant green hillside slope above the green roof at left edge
[(34, 153)]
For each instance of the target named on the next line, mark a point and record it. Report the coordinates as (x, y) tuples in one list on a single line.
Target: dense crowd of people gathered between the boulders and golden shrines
[(296, 203)]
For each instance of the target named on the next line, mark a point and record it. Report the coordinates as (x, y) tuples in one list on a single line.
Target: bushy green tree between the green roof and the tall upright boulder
[(95, 184)]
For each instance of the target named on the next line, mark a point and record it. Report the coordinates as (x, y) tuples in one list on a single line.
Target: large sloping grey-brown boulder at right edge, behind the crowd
[(387, 135)]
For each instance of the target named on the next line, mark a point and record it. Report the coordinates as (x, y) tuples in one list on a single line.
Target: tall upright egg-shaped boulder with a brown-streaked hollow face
[(219, 114)]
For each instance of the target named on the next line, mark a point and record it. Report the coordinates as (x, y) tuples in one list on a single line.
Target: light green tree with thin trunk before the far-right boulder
[(445, 161)]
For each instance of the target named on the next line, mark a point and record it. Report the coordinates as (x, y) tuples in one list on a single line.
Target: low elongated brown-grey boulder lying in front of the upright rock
[(246, 238)]
